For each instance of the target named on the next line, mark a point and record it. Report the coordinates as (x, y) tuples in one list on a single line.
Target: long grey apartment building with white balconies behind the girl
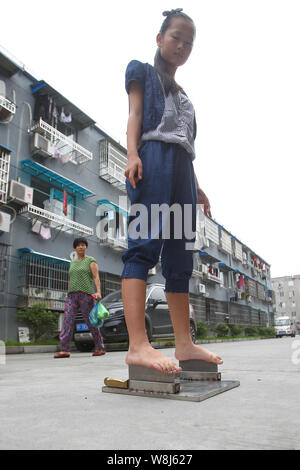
[(61, 177)]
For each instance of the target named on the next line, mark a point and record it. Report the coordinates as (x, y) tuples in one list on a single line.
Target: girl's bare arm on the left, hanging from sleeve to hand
[(134, 168)]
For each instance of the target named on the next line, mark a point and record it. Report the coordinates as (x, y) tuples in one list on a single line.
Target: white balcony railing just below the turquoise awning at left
[(56, 221)]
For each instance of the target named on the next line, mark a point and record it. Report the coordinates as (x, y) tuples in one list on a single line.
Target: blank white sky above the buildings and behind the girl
[(243, 78)]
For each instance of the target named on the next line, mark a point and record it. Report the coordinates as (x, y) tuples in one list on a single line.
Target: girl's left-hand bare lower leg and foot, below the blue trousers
[(140, 351)]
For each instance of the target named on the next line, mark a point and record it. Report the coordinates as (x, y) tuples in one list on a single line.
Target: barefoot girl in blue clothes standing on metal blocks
[(160, 150)]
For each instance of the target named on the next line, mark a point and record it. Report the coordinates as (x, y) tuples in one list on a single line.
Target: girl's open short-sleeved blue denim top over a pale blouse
[(154, 99)]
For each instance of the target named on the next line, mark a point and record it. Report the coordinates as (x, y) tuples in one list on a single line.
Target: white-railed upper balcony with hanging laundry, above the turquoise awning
[(62, 146)]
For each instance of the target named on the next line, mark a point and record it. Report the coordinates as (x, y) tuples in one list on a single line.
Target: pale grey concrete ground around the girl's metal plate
[(58, 404)]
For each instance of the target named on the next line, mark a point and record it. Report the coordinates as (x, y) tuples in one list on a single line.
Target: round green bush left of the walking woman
[(41, 322)]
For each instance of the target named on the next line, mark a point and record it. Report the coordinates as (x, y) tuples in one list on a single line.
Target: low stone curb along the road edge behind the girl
[(114, 347)]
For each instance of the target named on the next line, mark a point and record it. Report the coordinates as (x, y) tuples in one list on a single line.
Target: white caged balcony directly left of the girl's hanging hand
[(113, 162)]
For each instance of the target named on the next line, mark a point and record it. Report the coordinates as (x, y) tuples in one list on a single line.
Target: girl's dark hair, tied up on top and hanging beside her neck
[(160, 65)]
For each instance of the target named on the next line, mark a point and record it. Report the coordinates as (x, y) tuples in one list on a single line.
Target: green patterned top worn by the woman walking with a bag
[(81, 278)]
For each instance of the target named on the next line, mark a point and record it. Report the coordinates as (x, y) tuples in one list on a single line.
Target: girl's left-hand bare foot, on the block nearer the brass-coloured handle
[(146, 356)]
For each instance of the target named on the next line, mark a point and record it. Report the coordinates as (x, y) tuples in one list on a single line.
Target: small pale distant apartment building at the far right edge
[(287, 296)]
